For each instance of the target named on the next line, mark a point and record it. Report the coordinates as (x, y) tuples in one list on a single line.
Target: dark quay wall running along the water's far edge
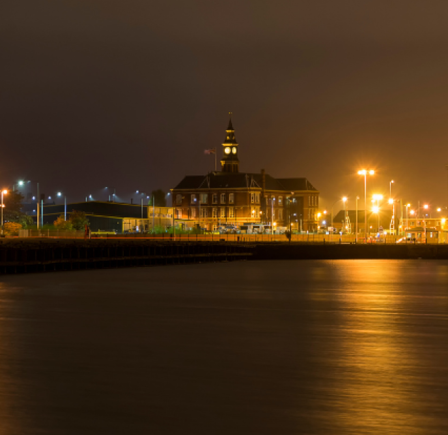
[(47, 255)]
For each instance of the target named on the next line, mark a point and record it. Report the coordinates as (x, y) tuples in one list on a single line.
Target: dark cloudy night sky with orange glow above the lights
[(130, 93)]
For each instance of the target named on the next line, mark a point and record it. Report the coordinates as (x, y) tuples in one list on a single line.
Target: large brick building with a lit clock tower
[(230, 197)]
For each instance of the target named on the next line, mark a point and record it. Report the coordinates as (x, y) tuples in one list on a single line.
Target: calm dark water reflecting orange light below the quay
[(292, 347)]
